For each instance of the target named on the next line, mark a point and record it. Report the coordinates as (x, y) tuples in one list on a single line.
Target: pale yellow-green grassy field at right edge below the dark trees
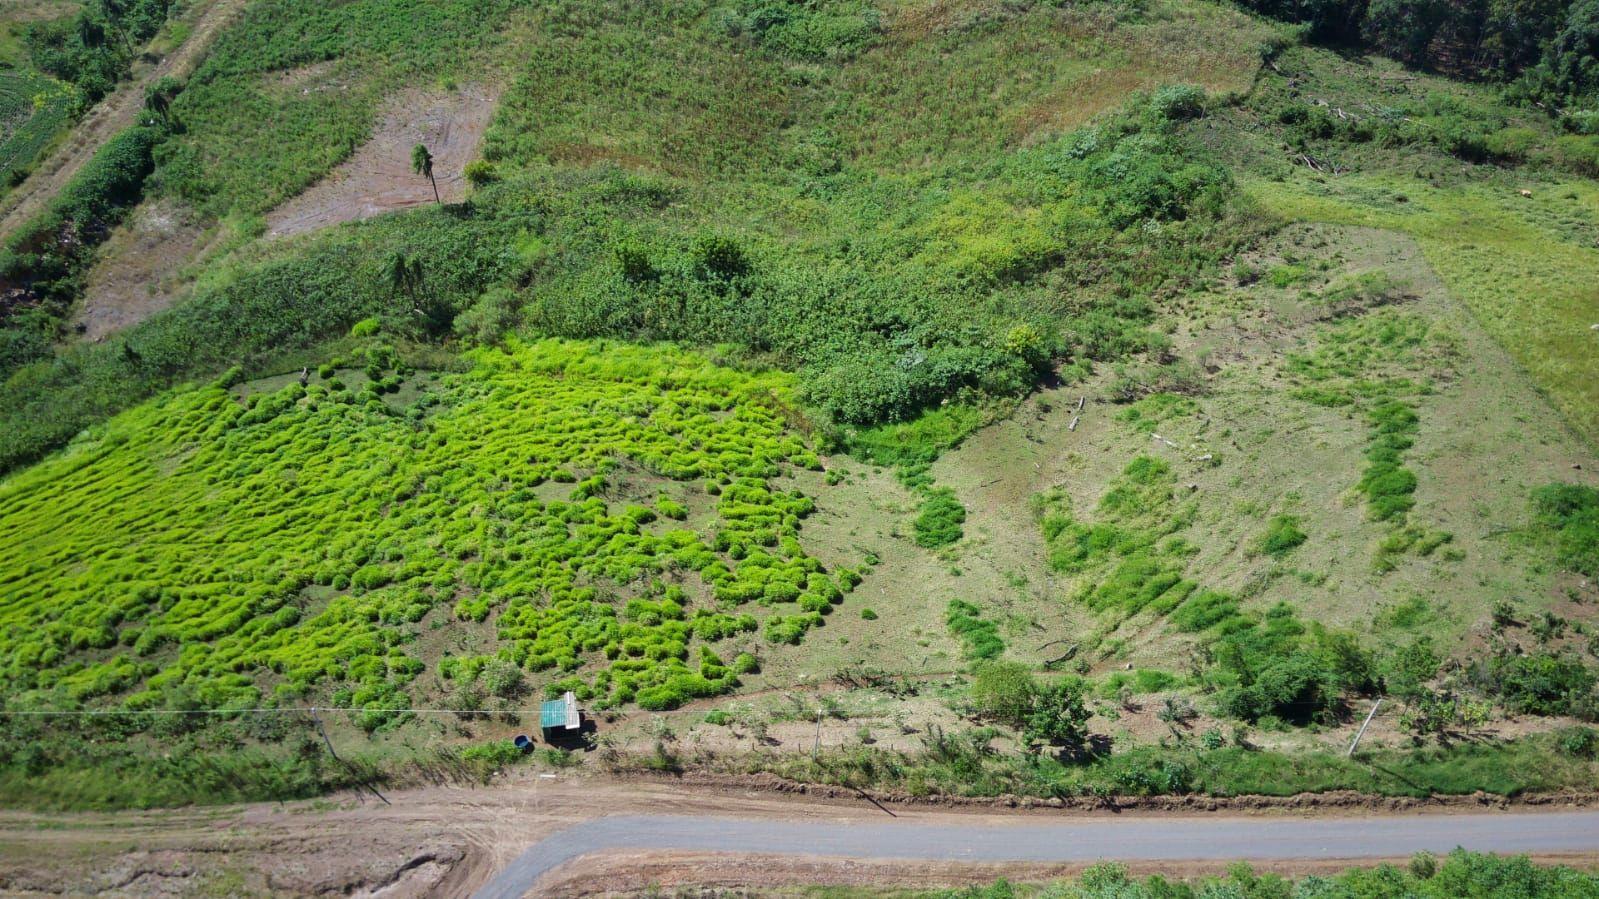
[(1521, 265)]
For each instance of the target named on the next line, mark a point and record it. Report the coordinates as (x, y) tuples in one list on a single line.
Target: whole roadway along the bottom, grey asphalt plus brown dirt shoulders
[(575, 836)]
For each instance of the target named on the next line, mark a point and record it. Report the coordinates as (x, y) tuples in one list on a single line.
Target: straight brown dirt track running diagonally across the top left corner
[(116, 113)]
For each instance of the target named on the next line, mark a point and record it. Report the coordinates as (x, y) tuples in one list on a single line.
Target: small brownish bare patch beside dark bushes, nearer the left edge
[(138, 268)]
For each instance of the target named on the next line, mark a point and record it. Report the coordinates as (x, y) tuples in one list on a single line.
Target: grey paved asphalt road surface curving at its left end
[(1139, 839)]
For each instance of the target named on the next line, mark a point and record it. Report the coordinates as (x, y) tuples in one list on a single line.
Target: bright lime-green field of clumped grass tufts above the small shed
[(281, 549)]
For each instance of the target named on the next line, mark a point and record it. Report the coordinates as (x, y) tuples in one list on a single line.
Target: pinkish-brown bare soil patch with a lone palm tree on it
[(380, 180)]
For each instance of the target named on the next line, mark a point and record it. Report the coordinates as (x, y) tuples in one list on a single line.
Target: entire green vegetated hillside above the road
[(1064, 399)]
